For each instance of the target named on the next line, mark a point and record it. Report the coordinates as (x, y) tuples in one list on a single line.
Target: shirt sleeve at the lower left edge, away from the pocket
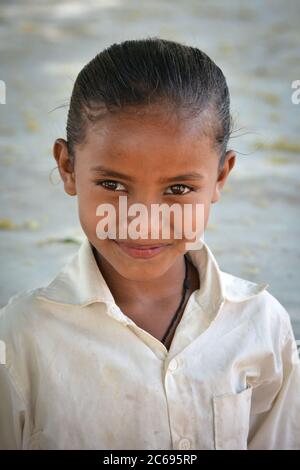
[(12, 413)]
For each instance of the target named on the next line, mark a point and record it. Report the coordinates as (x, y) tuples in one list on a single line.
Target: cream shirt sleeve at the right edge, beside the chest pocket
[(278, 428)]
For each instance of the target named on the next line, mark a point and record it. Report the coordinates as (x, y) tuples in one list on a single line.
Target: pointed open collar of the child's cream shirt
[(80, 282)]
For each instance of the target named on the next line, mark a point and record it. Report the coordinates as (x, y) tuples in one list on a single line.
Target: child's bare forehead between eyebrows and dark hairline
[(152, 140)]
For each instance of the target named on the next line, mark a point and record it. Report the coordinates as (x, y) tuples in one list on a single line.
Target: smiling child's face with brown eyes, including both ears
[(150, 160)]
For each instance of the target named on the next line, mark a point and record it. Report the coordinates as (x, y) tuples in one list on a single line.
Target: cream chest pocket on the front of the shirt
[(231, 419)]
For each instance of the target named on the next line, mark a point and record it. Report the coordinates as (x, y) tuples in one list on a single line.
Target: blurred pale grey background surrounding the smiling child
[(254, 230)]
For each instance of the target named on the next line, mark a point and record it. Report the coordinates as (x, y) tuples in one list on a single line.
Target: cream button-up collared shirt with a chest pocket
[(78, 373)]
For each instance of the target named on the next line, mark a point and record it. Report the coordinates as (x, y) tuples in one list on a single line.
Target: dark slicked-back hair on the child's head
[(136, 73)]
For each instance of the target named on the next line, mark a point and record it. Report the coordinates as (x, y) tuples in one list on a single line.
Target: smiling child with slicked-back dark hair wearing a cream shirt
[(139, 342)]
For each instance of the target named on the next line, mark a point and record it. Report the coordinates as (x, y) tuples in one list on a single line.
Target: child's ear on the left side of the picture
[(65, 165)]
